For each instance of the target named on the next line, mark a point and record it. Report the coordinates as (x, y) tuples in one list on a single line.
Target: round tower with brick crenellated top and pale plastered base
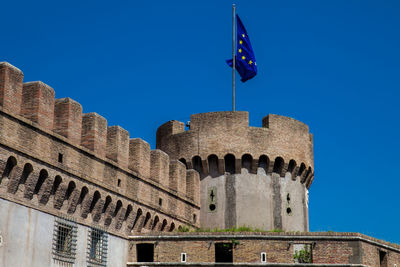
[(250, 176)]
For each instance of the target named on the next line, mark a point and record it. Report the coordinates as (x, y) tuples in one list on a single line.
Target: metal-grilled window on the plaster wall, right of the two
[(97, 247)]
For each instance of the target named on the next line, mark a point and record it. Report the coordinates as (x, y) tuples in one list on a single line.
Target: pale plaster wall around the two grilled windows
[(27, 239)]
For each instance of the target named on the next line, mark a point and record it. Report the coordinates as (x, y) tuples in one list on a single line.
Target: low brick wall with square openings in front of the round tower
[(327, 248)]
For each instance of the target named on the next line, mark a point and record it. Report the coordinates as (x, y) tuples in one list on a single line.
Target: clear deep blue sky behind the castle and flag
[(331, 64)]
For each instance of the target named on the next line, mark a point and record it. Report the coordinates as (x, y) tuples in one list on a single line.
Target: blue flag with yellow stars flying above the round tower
[(245, 59)]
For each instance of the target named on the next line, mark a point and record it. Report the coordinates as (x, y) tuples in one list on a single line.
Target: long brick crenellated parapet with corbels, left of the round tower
[(53, 139)]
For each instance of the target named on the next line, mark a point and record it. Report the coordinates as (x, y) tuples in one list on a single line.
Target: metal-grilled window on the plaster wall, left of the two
[(64, 240)]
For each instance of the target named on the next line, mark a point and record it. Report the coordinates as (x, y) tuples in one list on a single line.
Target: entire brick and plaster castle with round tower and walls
[(77, 192)]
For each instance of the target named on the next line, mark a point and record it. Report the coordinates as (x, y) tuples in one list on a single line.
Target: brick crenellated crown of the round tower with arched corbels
[(219, 142)]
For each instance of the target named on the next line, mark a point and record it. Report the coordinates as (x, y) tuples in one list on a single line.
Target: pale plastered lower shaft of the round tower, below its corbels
[(255, 200)]
